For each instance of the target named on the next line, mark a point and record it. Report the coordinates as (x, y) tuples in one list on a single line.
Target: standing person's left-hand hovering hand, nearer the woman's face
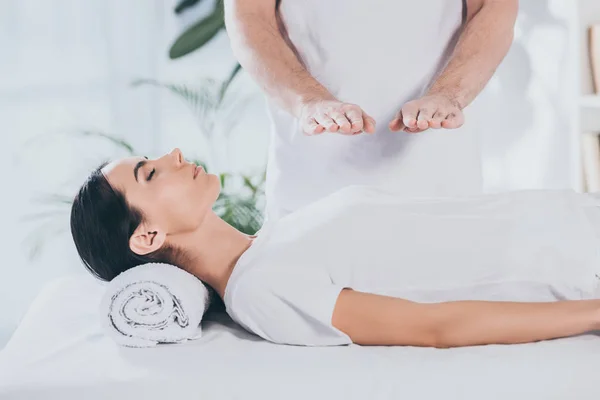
[(321, 116)]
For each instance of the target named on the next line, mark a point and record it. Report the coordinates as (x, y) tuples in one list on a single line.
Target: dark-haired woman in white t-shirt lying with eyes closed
[(361, 266)]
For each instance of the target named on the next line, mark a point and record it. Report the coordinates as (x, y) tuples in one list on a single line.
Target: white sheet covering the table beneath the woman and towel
[(59, 352)]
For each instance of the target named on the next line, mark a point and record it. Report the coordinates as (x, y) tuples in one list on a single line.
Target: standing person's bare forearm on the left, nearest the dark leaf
[(264, 53)]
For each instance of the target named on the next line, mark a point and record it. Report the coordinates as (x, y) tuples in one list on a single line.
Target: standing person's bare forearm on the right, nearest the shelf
[(484, 42)]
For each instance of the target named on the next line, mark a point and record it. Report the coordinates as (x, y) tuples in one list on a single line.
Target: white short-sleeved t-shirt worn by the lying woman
[(520, 246)]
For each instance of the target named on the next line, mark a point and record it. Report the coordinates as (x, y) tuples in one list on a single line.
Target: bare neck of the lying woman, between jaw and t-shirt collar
[(212, 251)]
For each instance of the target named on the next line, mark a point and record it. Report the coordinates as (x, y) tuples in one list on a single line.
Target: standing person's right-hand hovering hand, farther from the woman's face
[(431, 111)]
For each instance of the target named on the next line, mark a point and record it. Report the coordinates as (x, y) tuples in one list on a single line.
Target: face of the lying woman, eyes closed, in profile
[(173, 194)]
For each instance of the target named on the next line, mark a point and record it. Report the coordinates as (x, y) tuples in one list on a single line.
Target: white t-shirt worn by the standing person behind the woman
[(378, 54)]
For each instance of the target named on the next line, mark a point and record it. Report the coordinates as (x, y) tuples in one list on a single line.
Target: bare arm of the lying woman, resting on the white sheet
[(370, 319)]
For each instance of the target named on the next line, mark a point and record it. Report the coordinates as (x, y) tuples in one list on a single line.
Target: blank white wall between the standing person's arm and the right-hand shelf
[(527, 114)]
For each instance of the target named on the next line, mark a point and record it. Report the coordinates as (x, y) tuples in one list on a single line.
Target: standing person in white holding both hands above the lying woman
[(353, 85)]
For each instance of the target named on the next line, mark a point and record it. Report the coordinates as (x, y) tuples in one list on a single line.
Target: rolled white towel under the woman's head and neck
[(154, 303)]
